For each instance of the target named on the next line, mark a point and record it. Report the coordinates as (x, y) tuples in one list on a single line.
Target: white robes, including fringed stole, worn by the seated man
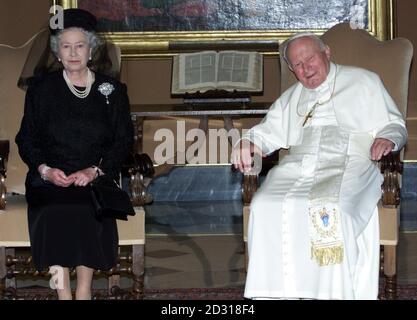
[(313, 227)]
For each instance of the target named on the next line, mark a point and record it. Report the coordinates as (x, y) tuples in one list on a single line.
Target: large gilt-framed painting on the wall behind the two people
[(158, 27)]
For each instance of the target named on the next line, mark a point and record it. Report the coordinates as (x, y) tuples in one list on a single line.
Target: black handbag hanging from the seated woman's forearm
[(109, 200)]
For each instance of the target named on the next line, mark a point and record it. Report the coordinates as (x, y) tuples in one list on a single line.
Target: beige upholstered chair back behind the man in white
[(389, 59)]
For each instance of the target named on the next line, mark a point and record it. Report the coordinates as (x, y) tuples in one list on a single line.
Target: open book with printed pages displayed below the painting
[(233, 71)]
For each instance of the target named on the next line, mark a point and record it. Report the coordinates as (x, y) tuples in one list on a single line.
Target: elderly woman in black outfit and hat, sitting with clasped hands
[(76, 126)]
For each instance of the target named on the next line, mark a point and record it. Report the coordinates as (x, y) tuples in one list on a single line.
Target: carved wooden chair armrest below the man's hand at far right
[(391, 167)]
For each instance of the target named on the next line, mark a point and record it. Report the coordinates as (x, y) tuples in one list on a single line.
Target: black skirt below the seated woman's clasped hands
[(63, 230)]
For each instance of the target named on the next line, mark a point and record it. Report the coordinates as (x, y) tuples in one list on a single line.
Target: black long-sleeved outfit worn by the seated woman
[(71, 134)]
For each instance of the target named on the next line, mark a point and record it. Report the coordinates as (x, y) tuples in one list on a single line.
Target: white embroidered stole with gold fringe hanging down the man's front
[(324, 213)]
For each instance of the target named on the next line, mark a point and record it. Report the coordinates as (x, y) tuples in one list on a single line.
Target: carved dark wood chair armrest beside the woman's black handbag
[(137, 167)]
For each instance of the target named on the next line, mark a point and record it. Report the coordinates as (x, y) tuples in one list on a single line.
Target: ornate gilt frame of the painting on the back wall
[(161, 43)]
